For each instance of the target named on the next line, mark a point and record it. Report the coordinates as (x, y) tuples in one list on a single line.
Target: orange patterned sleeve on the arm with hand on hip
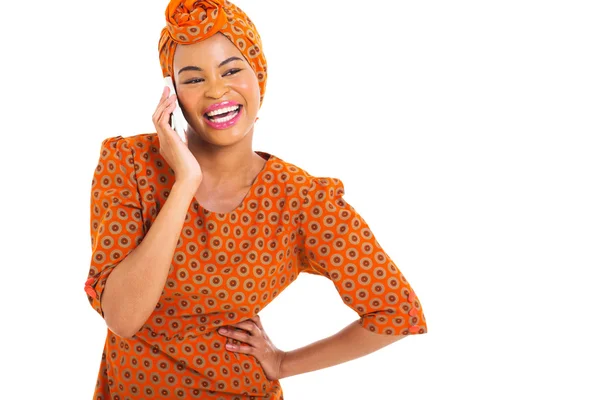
[(338, 244)]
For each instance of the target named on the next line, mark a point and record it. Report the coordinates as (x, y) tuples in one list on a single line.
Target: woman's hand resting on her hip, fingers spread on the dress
[(256, 343)]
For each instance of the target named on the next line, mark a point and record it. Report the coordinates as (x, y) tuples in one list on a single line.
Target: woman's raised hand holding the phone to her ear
[(172, 148)]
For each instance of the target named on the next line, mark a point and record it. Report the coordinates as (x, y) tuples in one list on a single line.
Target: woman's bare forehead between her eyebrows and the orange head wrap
[(205, 52)]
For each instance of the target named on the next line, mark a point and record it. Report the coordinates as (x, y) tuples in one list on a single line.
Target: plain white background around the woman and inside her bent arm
[(465, 132)]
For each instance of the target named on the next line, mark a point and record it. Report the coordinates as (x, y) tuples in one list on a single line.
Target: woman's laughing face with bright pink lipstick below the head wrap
[(217, 90)]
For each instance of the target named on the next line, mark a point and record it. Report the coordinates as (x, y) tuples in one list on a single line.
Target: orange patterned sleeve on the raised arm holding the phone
[(116, 224)]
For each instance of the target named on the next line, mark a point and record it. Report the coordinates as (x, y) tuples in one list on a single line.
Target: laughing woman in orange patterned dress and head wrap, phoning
[(191, 240)]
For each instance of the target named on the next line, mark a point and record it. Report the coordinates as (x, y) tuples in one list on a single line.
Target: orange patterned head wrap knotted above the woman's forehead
[(190, 21)]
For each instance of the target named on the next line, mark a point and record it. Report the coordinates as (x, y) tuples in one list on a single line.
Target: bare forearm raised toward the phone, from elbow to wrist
[(134, 287)]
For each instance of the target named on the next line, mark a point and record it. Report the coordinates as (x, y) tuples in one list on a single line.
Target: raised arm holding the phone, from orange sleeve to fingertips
[(131, 258)]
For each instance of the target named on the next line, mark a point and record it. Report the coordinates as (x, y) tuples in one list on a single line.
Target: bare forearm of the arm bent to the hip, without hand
[(352, 342)]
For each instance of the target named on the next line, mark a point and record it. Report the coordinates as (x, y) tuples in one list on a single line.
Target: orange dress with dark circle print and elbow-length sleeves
[(225, 269)]
